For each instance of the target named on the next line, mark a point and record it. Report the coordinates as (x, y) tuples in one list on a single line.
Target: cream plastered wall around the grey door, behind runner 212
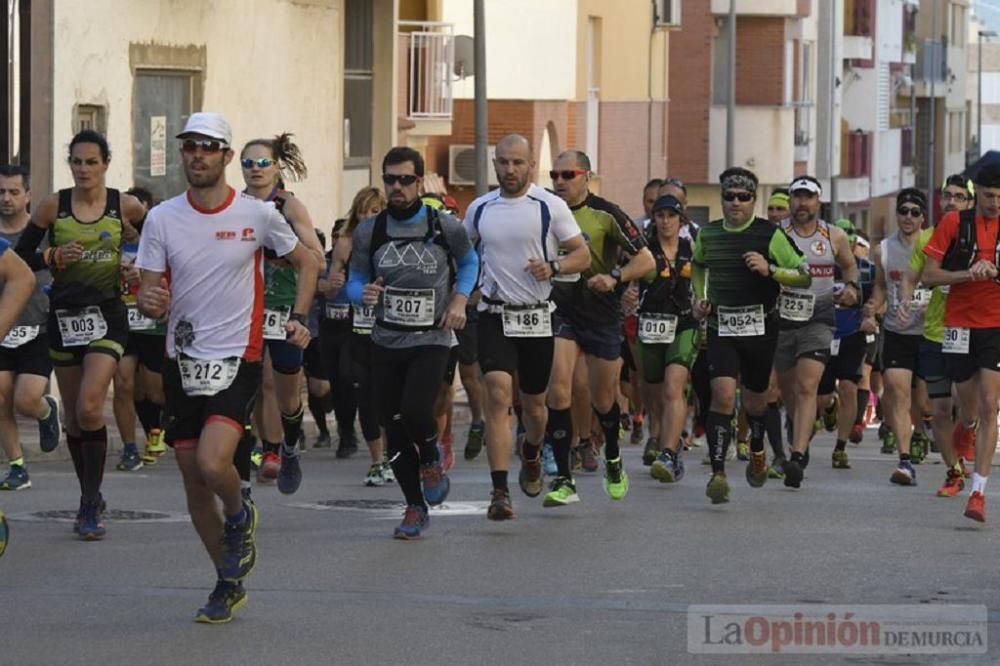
[(271, 67)]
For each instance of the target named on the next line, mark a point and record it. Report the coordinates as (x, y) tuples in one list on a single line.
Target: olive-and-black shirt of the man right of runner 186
[(608, 232)]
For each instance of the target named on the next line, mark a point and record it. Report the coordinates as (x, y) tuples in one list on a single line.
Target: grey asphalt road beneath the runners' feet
[(600, 582)]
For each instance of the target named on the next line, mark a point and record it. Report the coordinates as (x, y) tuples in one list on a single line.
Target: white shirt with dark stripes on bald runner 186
[(508, 232)]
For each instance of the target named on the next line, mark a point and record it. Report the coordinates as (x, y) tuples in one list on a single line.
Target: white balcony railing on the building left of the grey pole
[(431, 56)]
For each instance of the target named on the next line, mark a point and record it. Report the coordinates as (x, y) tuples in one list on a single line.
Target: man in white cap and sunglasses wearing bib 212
[(201, 257)]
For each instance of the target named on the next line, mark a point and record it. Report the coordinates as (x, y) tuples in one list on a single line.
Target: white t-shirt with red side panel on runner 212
[(214, 263)]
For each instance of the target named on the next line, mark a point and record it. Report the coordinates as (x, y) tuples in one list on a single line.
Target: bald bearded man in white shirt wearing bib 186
[(519, 230)]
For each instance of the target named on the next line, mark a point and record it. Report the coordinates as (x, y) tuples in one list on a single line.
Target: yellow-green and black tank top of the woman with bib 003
[(95, 278)]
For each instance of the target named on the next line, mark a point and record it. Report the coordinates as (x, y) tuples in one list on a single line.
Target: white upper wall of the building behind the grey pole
[(530, 47)]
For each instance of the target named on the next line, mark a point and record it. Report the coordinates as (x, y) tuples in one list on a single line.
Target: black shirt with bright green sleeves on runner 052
[(726, 280)]
